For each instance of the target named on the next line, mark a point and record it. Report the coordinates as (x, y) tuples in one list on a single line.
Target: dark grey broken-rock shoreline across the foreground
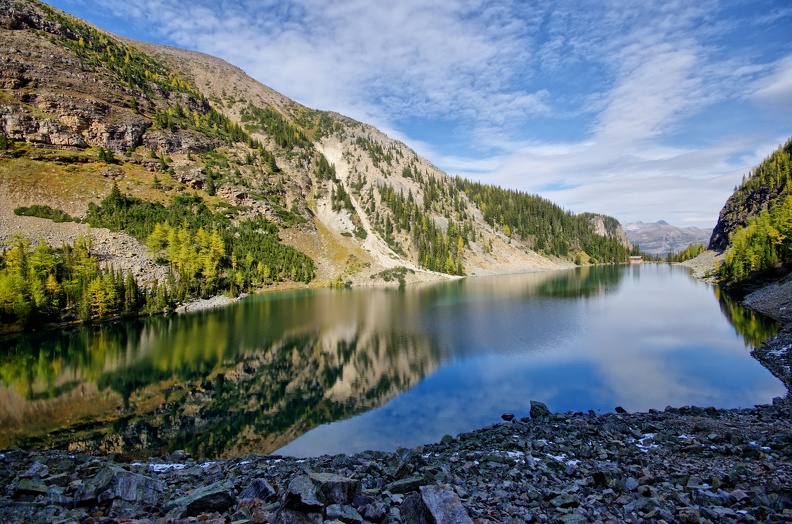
[(688, 464)]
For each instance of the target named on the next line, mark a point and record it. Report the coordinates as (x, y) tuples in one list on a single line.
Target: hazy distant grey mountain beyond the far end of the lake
[(661, 238)]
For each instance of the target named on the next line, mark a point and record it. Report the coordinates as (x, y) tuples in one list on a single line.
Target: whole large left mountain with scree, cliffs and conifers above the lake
[(233, 186)]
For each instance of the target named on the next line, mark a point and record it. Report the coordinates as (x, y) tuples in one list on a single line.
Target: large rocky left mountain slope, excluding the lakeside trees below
[(81, 109)]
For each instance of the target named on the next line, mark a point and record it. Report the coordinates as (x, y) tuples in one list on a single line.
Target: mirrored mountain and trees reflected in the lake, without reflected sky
[(253, 376)]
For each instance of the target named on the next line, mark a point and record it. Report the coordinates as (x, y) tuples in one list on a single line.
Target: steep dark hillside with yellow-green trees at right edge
[(758, 220)]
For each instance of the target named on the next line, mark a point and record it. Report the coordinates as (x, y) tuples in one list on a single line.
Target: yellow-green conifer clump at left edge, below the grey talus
[(43, 284)]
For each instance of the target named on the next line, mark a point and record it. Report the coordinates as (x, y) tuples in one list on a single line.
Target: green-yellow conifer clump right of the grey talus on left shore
[(206, 251)]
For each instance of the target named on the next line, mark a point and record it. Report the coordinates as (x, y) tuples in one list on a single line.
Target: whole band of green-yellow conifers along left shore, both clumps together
[(205, 252)]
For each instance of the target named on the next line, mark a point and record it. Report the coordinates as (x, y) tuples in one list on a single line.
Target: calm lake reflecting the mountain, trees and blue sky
[(329, 371)]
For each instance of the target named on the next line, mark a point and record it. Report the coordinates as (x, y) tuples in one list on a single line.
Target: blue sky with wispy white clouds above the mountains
[(643, 110)]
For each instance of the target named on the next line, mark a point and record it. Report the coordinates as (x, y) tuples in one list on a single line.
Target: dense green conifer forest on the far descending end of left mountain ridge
[(548, 228)]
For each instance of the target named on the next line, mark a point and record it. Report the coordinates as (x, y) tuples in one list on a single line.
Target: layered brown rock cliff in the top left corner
[(50, 98)]
